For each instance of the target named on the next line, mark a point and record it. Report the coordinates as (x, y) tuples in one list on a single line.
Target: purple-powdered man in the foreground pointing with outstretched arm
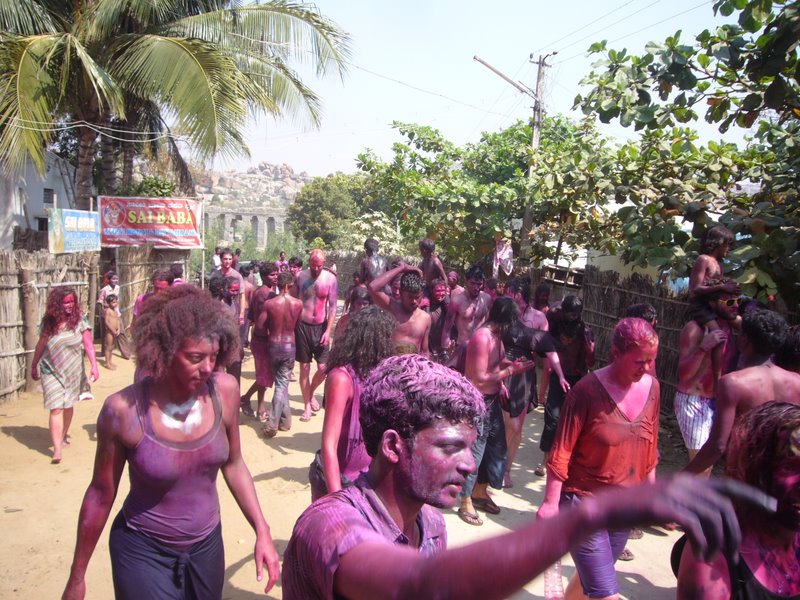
[(384, 538)]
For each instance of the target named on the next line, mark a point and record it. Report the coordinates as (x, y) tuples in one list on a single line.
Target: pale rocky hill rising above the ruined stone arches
[(267, 185)]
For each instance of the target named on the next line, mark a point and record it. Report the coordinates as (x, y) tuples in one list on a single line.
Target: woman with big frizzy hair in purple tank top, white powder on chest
[(177, 428)]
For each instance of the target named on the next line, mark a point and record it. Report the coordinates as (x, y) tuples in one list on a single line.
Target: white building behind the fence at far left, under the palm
[(24, 200)]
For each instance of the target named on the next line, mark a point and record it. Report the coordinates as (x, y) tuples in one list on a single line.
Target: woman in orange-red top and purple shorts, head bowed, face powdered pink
[(607, 436)]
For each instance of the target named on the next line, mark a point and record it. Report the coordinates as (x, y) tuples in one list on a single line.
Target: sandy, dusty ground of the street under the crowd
[(40, 501)]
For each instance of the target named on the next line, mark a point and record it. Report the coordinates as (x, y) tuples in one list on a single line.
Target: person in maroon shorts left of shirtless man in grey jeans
[(258, 342)]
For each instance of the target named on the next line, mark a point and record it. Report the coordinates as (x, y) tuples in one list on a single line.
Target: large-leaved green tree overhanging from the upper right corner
[(734, 75)]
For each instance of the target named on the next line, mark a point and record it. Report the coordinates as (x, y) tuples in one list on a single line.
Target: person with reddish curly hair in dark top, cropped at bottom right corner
[(764, 452)]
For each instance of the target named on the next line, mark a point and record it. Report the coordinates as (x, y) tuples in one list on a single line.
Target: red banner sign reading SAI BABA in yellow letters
[(165, 222)]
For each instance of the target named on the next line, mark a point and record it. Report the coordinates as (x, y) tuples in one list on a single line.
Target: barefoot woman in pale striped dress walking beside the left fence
[(58, 360)]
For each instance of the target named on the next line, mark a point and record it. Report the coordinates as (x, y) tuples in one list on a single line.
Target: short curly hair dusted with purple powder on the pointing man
[(409, 393)]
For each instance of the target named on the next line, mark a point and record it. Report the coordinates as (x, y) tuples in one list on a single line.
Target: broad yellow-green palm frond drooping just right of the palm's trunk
[(202, 87)]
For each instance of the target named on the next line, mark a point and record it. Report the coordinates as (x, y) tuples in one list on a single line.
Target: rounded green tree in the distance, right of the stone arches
[(323, 204)]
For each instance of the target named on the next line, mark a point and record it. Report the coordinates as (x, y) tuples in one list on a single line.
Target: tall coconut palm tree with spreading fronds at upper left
[(205, 65)]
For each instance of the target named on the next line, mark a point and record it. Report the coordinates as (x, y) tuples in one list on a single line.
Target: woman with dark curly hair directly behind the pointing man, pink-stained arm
[(365, 342)]
